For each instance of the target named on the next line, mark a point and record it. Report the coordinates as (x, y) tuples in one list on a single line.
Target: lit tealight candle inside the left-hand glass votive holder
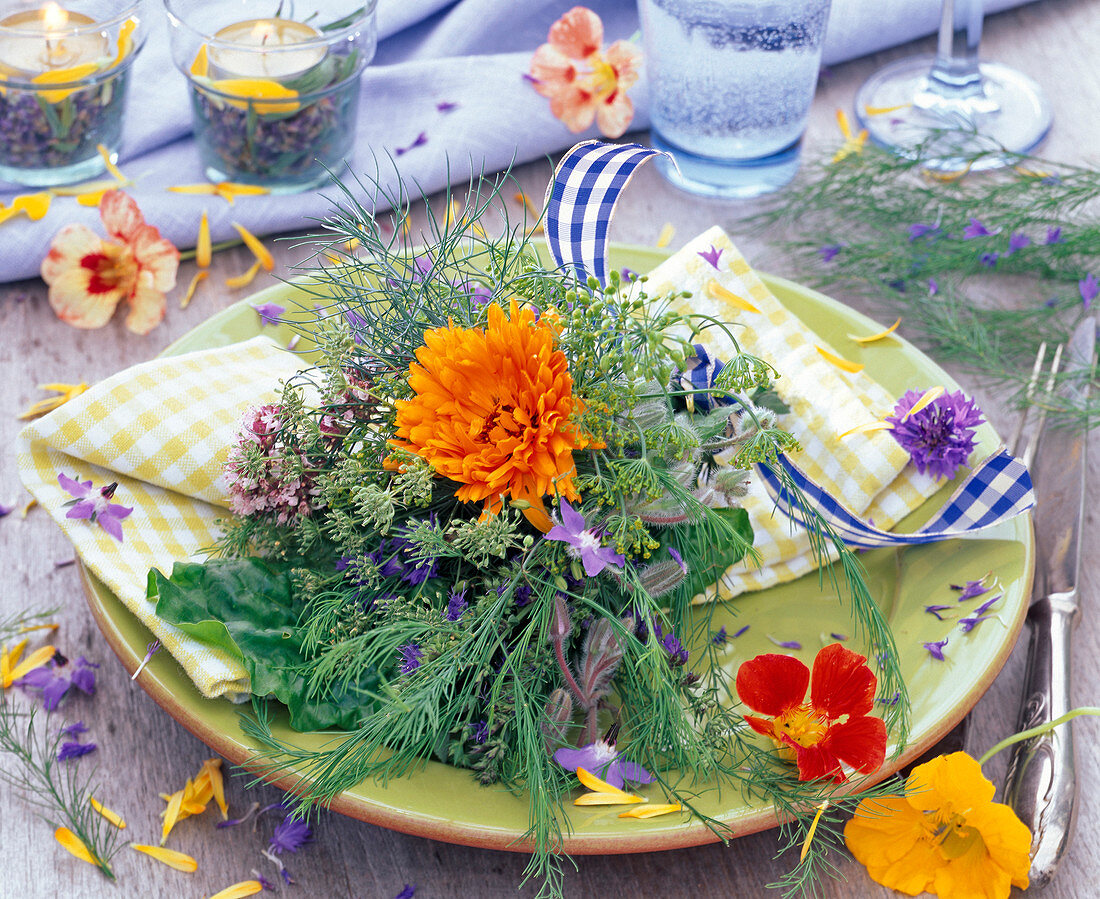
[(50, 39)]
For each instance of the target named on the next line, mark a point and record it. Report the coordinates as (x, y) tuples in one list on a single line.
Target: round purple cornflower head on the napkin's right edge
[(940, 437)]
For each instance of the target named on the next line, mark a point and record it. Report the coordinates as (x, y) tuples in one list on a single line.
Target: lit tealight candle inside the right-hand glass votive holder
[(266, 49)]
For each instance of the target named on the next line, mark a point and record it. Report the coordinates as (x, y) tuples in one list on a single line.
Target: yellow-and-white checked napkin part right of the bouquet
[(870, 473)]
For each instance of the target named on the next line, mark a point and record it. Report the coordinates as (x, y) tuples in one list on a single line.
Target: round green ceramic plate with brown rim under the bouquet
[(446, 804)]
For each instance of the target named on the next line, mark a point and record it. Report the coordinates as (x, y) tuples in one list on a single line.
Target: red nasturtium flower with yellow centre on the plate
[(830, 730)]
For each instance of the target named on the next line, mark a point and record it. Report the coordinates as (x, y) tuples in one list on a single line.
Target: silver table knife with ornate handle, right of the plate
[(1042, 784)]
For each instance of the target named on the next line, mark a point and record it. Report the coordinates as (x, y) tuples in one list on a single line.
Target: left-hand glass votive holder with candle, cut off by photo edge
[(64, 72)]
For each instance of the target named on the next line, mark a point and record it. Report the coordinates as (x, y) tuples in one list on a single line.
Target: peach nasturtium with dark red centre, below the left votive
[(90, 277)]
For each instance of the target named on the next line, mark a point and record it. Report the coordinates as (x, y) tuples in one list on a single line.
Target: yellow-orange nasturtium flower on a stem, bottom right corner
[(947, 836)]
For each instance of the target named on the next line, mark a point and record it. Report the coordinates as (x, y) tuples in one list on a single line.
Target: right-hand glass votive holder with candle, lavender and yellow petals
[(274, 101)]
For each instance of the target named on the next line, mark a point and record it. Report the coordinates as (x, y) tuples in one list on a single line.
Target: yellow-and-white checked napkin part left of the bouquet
[(162, 430)]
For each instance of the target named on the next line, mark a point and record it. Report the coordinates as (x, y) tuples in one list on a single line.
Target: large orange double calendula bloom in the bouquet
[(494, 410)]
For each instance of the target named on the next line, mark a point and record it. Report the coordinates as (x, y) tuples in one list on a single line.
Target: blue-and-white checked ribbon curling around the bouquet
[(580, 204)]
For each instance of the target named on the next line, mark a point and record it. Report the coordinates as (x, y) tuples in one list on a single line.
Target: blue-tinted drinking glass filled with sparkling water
[(731, 83)]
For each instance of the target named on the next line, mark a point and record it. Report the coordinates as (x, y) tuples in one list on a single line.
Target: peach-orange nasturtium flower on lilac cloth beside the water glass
[(582, 82)]
